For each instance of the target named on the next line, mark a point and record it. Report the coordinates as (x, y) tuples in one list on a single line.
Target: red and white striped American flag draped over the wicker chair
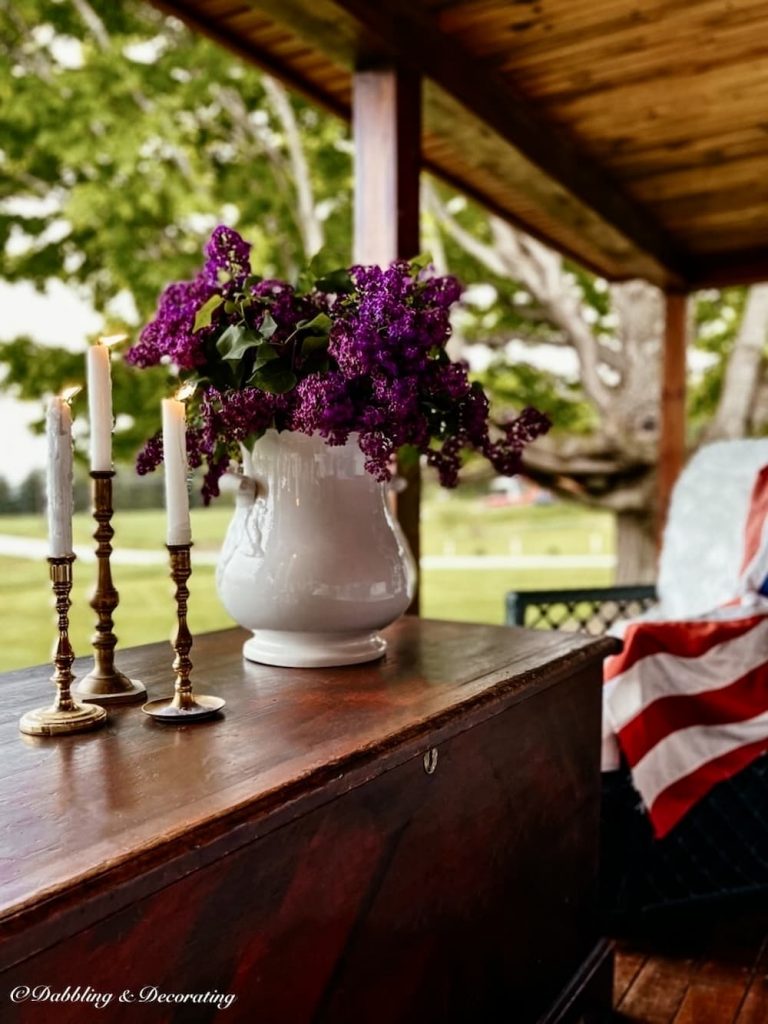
[(688, 702)]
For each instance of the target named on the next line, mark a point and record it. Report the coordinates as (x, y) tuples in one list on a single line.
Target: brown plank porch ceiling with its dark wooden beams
[(631, 135)]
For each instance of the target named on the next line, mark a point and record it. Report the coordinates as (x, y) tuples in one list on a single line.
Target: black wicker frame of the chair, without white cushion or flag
[(719, 852)]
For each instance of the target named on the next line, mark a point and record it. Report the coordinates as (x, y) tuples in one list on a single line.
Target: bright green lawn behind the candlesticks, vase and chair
[(455, 525)]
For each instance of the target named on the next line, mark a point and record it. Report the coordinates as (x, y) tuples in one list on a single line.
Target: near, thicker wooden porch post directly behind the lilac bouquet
[(387, 126)]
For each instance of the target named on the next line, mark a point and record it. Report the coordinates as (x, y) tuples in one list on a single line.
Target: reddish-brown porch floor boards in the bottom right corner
[(713, 974)]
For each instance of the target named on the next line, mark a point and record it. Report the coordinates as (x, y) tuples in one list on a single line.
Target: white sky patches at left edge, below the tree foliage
[(60, 317)]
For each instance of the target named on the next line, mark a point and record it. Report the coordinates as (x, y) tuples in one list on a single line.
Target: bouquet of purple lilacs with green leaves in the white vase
[(359, 352)]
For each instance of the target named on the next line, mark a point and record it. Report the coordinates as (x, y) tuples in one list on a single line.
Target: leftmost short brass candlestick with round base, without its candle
[(65, 715)]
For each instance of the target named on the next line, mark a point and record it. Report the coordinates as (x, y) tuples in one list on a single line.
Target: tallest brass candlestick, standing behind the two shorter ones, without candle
[(105, 685)]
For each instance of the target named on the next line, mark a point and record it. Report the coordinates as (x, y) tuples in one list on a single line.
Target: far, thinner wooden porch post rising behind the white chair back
[(672, 443)]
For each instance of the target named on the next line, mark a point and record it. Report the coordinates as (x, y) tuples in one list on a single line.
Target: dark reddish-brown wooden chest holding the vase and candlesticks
[(412, 840)]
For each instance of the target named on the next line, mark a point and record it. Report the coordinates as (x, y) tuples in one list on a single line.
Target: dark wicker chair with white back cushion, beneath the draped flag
[(719, 852)]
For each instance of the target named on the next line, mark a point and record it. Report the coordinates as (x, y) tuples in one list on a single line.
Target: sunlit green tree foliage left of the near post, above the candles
[(125, 140)]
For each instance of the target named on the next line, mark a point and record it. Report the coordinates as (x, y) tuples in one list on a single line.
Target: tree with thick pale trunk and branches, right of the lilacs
[(607, 406)]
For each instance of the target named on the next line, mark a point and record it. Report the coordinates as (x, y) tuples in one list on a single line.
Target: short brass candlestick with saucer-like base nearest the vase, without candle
[(185, 706)]
